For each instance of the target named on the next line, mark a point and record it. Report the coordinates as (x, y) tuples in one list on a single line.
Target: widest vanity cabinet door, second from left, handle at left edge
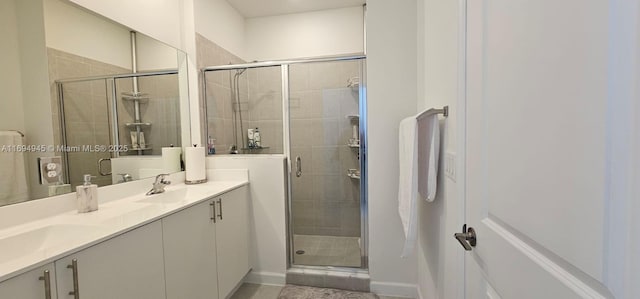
[(129, 266)]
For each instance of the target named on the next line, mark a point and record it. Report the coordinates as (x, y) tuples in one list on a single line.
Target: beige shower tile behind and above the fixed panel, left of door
[(260, 101)]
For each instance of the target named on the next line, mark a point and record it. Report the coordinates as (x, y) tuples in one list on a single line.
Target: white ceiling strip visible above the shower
[(261, 8)]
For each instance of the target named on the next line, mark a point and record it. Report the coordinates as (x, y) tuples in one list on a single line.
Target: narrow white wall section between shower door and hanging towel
[(392, 92)]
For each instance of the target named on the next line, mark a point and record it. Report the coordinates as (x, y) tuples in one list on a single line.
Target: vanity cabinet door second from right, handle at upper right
[(189, 247)]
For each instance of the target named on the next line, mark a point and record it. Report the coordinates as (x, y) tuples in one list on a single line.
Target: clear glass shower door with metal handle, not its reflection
[(325, 155)]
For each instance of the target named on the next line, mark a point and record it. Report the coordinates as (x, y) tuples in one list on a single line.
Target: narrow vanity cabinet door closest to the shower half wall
[(232, 239)]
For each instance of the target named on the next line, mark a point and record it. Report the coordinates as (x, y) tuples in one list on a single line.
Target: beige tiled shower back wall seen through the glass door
[(325, 201)]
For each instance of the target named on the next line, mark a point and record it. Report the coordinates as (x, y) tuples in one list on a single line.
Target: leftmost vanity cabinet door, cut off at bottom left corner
[(29, 285)]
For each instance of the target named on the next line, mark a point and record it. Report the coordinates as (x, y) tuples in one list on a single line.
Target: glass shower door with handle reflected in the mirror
[(87, 123)]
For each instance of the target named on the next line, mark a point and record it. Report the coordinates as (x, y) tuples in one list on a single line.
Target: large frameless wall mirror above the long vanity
[(82, 94)]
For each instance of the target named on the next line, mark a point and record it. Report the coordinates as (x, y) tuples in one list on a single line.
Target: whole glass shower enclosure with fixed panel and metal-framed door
[(314, 112)]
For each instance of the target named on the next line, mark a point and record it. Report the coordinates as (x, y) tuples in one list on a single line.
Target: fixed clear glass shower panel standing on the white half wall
[(240, 100)]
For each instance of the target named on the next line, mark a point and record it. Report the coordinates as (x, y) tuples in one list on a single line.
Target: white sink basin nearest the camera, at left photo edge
[(28, 242)]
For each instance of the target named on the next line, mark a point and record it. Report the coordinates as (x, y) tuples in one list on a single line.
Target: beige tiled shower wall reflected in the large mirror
[(87, 106)]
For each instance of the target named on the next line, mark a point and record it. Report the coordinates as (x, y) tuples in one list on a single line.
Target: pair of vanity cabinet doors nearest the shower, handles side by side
[(207, 247)]
